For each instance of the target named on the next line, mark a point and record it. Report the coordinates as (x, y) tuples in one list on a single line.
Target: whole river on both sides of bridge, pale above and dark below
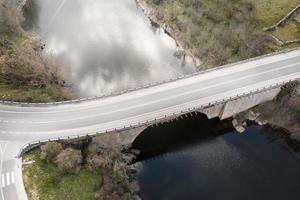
[(109, 45)]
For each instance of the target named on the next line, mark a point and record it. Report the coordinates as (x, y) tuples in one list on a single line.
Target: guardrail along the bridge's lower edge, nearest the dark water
[(33, 144)]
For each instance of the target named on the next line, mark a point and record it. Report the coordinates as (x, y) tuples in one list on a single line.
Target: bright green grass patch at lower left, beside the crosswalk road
[(44, 181)]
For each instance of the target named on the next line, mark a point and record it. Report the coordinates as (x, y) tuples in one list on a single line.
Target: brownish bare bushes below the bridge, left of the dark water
[(71, 156)]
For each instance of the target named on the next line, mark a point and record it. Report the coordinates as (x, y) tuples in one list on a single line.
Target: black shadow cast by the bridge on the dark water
[(171, 136)]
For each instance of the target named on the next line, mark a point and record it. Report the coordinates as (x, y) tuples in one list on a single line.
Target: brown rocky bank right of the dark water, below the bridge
[(281, 114)]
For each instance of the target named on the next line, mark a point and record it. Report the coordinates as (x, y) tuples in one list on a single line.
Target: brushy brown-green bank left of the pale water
[(24, 74)]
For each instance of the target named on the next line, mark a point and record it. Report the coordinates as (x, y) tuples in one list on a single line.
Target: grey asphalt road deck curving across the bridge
[(100, 115)]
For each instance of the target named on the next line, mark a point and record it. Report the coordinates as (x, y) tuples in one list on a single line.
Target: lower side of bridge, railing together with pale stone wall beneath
[(223, 109)]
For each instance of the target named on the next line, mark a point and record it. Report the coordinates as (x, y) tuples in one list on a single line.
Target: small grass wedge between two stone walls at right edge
[(290, 31)]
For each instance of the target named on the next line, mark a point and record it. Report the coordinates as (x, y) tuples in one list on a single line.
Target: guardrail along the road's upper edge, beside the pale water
[(145, 86)]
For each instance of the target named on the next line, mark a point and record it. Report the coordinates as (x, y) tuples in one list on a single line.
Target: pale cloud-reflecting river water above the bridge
[(105, 45)]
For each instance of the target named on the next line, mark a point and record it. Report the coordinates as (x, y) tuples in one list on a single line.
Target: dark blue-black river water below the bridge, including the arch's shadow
[(207, 160)]
